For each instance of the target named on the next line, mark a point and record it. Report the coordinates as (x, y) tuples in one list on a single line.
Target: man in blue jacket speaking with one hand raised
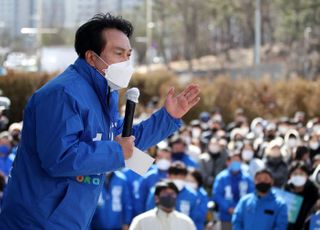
[(70, 124)]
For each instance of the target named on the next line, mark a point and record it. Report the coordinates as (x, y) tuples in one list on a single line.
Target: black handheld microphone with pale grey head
[(132, 96)]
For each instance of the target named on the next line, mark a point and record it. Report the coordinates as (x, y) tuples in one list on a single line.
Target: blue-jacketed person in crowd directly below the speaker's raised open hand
[(178, 150)]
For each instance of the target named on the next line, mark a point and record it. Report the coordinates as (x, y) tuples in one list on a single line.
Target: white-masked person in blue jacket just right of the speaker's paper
[(159, 172)]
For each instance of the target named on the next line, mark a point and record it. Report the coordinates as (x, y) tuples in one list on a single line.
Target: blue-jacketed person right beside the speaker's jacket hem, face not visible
[(114, 209)]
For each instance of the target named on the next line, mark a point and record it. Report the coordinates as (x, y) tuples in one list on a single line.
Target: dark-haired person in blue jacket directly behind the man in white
[(187, 197)]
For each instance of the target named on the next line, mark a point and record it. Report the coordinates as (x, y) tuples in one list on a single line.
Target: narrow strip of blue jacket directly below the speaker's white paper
[(133, 180)]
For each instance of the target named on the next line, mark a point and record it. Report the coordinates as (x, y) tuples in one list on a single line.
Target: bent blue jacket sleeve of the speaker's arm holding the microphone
[(59, 147)]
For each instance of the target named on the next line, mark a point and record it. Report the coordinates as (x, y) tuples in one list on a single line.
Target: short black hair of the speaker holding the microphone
[(89, 35)]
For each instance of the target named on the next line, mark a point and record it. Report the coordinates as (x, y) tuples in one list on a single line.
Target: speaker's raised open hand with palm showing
[(178, 106)]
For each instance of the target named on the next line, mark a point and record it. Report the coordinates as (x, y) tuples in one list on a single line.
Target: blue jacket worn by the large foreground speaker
[(66, 146)]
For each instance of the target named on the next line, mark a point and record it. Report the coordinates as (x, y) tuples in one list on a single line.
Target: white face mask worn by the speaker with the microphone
[(118, 74)]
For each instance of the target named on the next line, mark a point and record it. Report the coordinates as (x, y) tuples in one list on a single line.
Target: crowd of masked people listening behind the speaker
[(259, 174)]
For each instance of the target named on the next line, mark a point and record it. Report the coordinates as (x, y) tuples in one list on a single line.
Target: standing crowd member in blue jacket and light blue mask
[(230, 185)]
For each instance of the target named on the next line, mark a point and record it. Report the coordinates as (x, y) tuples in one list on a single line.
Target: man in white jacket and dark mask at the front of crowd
[(163, 216)]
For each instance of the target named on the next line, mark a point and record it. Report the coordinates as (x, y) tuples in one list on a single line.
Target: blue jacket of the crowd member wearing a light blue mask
[(223, 191)]
